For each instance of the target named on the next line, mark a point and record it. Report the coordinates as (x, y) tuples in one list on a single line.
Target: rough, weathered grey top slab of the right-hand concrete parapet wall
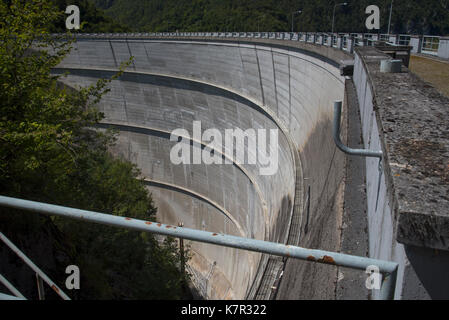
[(413, 129)]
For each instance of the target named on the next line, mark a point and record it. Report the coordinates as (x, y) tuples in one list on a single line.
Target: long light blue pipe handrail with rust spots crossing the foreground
[(386, 268)]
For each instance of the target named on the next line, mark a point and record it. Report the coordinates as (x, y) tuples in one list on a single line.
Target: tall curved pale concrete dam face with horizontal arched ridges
[(226, 85)]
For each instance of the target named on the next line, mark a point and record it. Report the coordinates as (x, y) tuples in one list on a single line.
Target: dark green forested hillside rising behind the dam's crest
[(409, 16)]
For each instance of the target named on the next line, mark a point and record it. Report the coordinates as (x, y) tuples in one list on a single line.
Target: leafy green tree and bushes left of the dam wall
[(49, 152)]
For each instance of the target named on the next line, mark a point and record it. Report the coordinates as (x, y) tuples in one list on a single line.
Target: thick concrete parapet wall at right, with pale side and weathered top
[(407, 212)]
